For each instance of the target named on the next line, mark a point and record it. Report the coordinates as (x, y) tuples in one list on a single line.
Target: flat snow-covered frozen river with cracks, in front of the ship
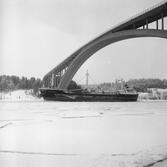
[(66, 134)]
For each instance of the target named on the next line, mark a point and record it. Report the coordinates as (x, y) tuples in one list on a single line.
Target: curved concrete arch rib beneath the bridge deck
[(99, 43)]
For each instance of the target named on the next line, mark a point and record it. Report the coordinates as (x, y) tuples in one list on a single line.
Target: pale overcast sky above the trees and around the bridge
[(36, 35)]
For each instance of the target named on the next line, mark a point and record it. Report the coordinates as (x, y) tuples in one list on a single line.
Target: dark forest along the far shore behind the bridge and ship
[(9, 83)]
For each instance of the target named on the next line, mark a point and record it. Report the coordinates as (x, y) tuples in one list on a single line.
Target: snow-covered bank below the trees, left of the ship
[(18, 95)]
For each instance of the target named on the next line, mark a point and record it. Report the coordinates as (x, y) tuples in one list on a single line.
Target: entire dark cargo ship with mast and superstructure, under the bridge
[(121, 94)]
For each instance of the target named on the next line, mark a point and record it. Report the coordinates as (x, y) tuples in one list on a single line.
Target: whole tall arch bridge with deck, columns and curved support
[(135, 27)]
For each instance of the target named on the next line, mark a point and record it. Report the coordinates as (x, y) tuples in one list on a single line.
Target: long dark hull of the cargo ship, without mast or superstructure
[(60, 95)]
